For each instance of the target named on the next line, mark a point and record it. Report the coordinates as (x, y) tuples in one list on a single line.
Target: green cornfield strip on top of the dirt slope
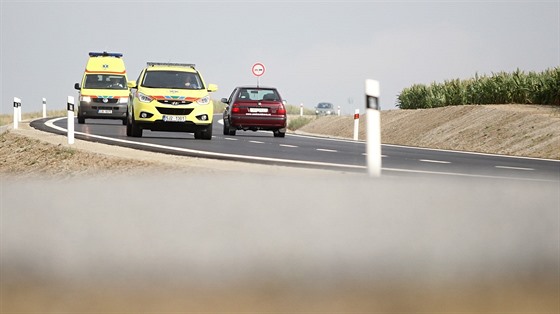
[(541, 88)]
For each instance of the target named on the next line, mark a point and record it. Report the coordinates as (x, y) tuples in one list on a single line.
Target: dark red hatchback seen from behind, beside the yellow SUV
[(255, 108)]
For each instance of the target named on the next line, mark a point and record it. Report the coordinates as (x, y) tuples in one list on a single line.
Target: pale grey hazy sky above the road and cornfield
[(313, 50)]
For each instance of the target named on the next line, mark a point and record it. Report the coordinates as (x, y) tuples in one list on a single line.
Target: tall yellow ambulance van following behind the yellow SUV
[(103, 91)]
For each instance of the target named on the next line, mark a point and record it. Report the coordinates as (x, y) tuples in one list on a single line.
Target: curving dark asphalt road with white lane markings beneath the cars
[(312, 152)]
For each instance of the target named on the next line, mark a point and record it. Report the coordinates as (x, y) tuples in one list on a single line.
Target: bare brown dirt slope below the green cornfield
[(518, 130)]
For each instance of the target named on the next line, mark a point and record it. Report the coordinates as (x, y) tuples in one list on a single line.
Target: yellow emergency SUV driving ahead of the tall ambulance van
[(170, 97)]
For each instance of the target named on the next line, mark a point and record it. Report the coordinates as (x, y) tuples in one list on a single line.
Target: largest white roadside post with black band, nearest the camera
[(373, 125)]
